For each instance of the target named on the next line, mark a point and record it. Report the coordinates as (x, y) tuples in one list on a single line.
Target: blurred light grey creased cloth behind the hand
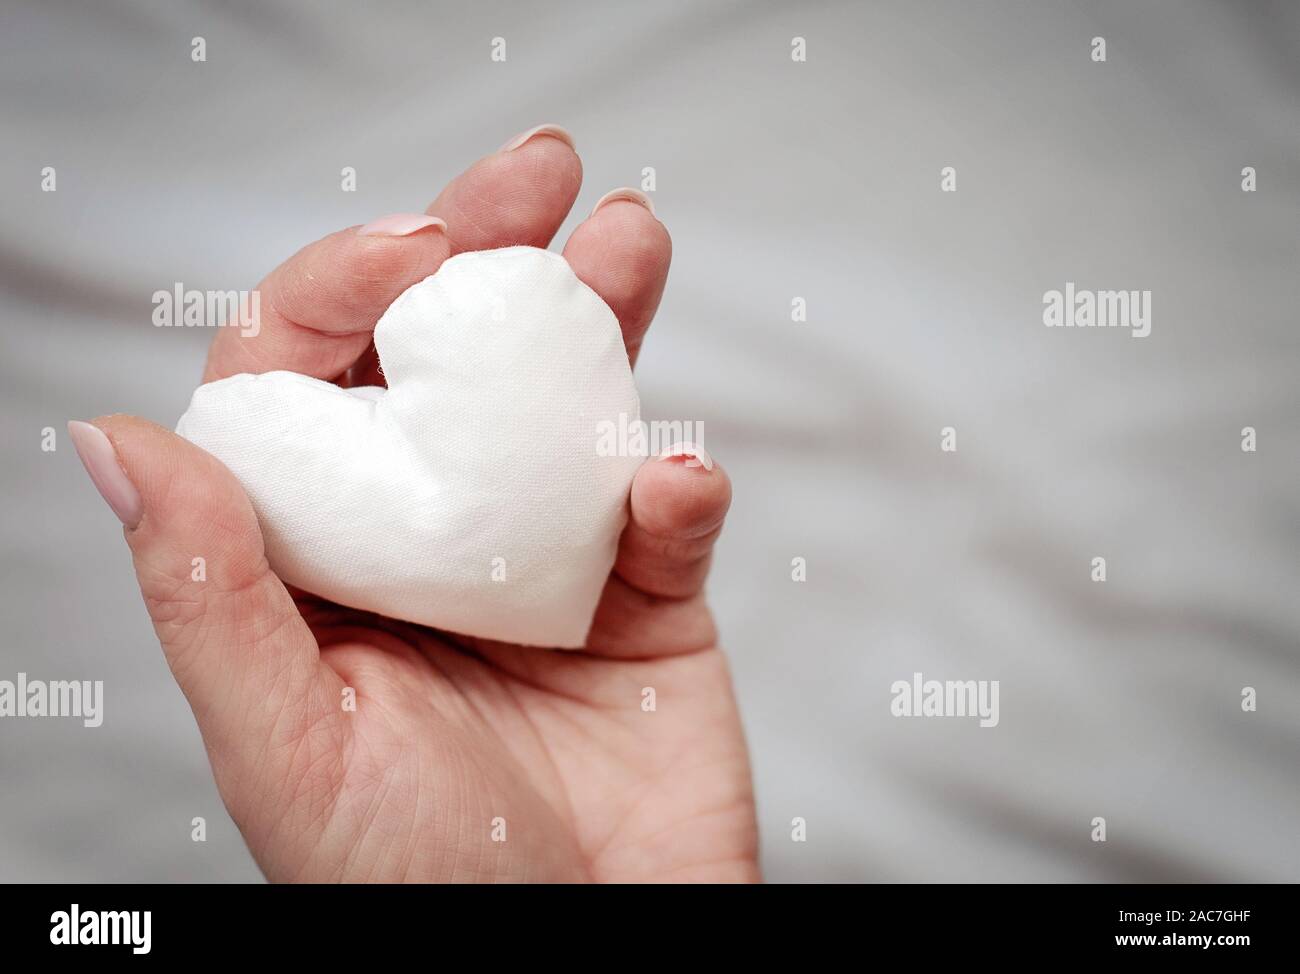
[(778, 180)]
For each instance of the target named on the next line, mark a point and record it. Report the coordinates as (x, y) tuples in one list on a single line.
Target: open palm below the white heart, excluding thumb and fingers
[(470, 763)]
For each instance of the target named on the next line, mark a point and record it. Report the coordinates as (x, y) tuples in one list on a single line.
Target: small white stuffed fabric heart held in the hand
[(470, 495)]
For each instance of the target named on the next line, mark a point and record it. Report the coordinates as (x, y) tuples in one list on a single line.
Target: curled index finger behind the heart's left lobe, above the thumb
[(319, 309)]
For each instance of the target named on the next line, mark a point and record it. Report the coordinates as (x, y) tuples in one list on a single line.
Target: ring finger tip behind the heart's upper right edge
[(622, 253)]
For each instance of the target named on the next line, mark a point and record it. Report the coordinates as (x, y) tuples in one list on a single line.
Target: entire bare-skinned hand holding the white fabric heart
[(450, 734)]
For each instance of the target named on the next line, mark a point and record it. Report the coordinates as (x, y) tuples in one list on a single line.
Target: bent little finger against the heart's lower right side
[(655, 601)]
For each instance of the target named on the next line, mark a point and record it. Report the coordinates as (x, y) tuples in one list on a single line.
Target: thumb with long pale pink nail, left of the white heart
[(231, 633)]
